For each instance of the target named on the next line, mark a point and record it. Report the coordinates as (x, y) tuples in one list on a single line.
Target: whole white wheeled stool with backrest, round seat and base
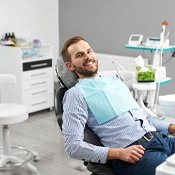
[(12, 114)]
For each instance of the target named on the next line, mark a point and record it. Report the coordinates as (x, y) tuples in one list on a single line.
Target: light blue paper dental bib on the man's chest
[(106, 97)]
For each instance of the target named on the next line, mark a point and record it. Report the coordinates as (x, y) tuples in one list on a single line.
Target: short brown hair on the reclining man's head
[(64, 53)]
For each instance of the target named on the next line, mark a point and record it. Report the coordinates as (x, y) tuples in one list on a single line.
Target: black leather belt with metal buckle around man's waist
[(146, 138)]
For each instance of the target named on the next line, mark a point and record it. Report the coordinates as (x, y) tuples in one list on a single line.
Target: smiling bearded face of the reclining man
[(83, 60)]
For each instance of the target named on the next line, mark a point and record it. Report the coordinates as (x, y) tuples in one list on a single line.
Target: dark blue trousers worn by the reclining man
[(156, 152)]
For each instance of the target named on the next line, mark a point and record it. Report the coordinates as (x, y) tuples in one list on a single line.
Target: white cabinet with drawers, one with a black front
[(33, 68)]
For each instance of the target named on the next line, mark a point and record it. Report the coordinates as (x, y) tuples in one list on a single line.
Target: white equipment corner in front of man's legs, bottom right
[(167, 167)]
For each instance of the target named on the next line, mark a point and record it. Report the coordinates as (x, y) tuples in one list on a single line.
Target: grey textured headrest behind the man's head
[(66, 77)]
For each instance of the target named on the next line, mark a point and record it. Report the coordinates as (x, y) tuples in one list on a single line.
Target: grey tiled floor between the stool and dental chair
[(41, 133)]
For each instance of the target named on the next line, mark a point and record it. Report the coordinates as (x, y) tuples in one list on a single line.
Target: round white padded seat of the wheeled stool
[(12, 113)]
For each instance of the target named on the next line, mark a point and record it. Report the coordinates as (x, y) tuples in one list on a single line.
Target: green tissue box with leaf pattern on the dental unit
[(145, 76)]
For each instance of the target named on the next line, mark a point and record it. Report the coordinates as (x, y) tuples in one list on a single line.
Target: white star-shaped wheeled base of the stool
[(9, 161)]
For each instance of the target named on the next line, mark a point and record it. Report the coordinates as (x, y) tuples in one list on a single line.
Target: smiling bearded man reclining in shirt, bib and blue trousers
[(135, 142)]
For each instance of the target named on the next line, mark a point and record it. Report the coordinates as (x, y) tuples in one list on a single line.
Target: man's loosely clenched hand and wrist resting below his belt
[(131, 154)]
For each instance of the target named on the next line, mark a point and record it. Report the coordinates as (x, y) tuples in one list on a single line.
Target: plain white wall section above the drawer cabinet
[(32, 19)]
